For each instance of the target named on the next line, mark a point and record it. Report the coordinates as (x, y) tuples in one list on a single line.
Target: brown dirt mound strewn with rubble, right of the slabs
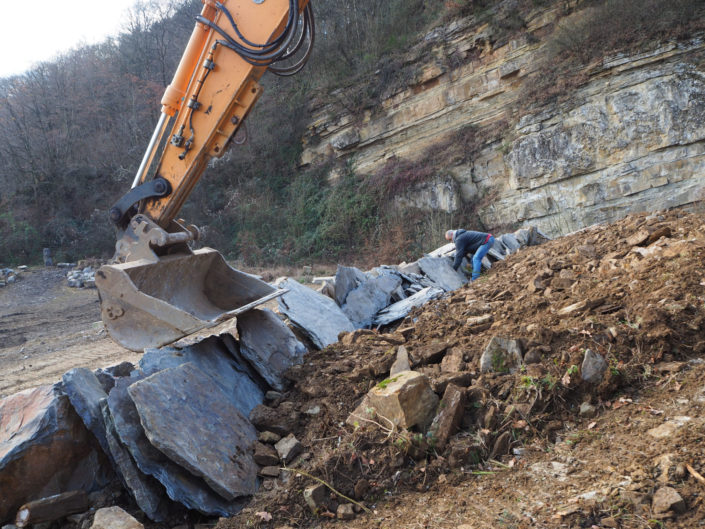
[(530, 442)]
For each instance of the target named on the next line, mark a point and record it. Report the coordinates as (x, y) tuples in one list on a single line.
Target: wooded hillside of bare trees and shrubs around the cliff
[(74, 130)]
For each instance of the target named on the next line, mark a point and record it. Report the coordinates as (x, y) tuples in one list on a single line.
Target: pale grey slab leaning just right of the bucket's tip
[(318, 316)]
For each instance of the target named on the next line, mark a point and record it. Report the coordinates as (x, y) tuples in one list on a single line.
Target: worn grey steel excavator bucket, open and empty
[(150, 304)]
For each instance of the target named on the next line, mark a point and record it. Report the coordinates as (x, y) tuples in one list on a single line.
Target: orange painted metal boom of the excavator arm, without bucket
[(226, 94)]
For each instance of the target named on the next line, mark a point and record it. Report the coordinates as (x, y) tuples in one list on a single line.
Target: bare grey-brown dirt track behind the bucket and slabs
[(47, 328)]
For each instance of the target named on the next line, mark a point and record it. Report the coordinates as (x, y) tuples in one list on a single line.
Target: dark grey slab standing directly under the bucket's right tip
[(268, 345)]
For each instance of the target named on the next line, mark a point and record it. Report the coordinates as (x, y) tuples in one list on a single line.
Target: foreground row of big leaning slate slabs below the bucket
[(173, 430)]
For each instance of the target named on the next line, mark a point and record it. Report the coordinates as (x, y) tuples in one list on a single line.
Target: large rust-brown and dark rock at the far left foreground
[(45, 449)]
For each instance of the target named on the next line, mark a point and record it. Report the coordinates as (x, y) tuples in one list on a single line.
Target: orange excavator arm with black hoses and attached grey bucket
[(158, 290)]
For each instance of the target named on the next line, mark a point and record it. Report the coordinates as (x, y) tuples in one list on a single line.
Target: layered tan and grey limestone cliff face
[(631, 138)]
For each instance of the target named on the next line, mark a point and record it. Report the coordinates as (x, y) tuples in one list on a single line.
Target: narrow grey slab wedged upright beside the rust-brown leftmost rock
[(85, 392)]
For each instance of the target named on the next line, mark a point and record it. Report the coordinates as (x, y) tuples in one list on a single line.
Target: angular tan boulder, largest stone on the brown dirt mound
[(406, 400)]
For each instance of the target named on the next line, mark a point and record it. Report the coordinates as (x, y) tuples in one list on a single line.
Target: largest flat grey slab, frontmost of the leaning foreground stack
[(191, 421)]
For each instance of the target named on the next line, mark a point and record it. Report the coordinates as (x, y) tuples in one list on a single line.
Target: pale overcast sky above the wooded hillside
[(41, 29)]
